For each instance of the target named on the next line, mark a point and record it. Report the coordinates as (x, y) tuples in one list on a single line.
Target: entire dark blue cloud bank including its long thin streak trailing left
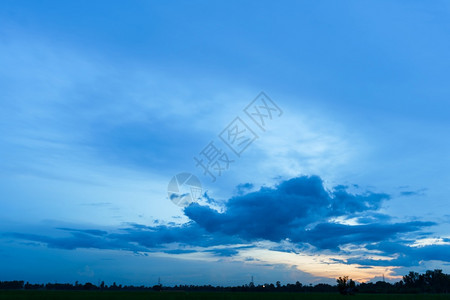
[(299, 210)]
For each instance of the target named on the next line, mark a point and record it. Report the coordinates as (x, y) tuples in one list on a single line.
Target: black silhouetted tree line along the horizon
[(430, 282)]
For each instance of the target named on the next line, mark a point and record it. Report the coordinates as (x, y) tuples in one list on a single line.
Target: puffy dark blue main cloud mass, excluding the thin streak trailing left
[(300, 209)]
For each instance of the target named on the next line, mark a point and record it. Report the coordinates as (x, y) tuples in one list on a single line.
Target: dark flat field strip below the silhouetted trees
[(99, 295)]
